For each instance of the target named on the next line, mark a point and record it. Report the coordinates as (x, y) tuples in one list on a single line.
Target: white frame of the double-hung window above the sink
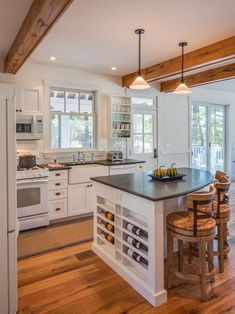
[(93, 115)]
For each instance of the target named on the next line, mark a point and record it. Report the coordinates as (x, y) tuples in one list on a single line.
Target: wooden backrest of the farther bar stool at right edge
[(222, 189)]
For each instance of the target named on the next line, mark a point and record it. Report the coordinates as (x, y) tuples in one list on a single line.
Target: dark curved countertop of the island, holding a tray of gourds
[(142, 185)]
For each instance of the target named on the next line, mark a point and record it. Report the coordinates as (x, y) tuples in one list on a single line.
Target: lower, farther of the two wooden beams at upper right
[(205, 77)]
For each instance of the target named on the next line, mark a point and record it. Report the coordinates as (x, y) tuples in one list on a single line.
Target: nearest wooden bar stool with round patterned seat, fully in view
[(195, 228)]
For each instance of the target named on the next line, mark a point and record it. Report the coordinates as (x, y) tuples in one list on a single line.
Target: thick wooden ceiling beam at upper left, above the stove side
[(40, 18)]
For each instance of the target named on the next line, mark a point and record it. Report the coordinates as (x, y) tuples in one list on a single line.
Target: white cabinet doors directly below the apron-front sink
[(80, 198)]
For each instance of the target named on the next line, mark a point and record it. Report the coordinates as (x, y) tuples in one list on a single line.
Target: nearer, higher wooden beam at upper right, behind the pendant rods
[(214, 53)]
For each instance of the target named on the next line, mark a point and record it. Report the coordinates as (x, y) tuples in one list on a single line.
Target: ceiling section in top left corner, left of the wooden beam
[(12, 14)]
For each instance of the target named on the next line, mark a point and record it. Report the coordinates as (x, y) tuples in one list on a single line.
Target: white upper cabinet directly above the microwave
[(30, 99)]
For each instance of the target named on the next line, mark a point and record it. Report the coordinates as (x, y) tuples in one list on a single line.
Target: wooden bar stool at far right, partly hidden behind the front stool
[(221, 214)]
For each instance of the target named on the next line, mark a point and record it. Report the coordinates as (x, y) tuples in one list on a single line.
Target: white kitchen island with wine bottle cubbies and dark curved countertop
[(129, 225)]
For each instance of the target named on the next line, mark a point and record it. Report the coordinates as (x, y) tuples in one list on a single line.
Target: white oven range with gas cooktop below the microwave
[(32, 197)]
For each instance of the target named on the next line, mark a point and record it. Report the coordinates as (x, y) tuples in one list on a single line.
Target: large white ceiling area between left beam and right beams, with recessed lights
[(99, 34)]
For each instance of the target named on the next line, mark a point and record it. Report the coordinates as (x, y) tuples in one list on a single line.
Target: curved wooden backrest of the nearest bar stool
[(204, 199)]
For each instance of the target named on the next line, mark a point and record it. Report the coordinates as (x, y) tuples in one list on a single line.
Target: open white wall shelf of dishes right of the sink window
[(120, 113)]
